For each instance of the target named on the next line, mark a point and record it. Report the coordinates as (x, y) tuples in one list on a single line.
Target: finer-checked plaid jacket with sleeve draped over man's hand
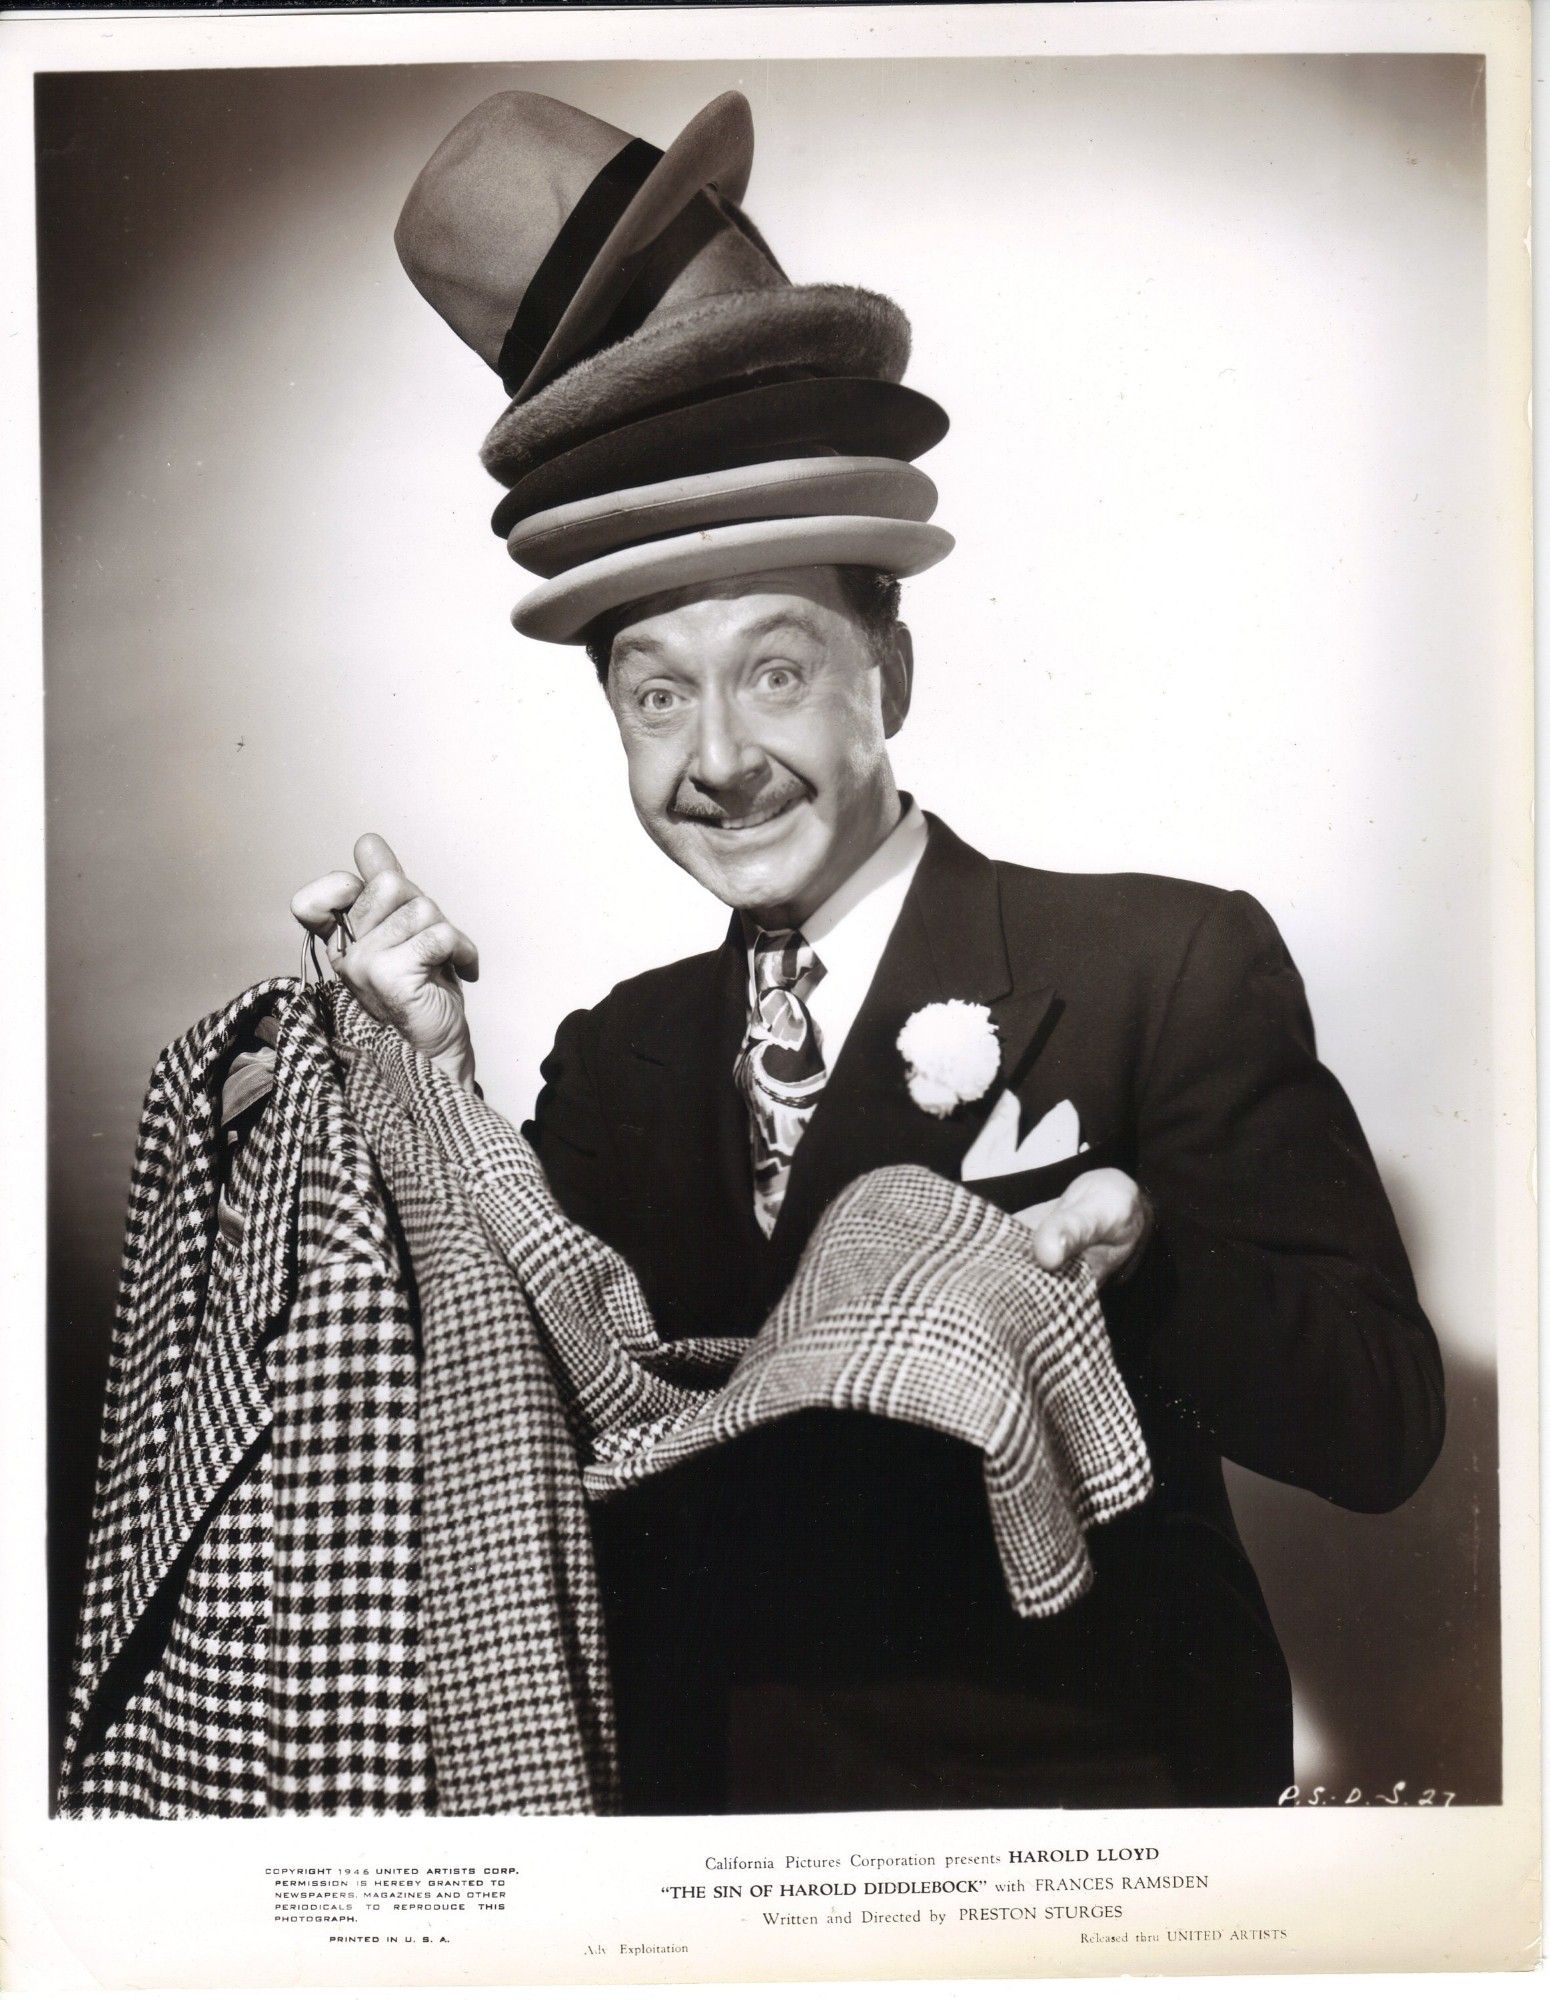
[(915, 1301)]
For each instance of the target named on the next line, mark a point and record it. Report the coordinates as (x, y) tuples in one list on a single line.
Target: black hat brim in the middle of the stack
[(811, 417)]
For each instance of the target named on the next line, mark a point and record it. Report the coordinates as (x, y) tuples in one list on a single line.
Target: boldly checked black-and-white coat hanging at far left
[(249, 1637)]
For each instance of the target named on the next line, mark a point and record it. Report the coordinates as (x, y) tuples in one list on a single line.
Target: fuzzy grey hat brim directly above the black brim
[(821, 329)]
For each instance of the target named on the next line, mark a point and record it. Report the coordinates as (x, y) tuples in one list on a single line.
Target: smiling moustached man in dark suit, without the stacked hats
[(815, 1619)]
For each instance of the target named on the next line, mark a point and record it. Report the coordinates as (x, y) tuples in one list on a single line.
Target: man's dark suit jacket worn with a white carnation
[(815, 1619)]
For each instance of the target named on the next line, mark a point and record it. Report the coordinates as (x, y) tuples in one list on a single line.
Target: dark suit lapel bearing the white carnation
[(949, 945)]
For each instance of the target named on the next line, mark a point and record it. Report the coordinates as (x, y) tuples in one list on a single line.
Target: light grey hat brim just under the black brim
[(565, 537)]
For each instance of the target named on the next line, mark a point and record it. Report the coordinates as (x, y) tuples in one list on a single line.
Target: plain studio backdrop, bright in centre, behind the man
[(1213, 343)]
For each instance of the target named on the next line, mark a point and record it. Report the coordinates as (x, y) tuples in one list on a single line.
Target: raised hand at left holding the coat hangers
[(407, 957)]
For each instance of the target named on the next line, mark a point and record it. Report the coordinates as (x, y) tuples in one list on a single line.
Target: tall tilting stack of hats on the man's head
[(679, 409)]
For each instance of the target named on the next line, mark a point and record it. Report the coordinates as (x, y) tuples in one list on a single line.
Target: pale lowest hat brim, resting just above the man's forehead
[(563, 609)]
